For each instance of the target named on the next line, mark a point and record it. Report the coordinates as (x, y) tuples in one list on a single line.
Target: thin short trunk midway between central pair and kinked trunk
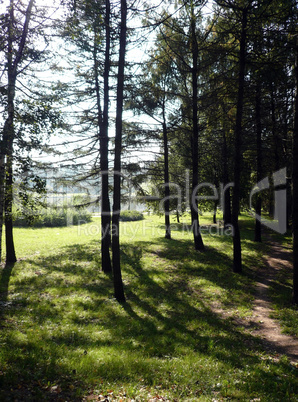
[(166, 179)]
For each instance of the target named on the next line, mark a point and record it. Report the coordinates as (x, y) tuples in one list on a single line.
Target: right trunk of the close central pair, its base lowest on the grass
[(118, 284)]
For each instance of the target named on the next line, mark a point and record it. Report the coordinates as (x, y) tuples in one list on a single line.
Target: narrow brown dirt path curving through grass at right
[(265, 327)]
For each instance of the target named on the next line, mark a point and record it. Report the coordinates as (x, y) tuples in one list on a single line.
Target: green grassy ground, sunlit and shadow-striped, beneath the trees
[(64, 337)]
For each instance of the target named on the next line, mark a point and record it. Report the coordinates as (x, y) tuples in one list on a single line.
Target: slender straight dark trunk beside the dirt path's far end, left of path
[(258, 228)]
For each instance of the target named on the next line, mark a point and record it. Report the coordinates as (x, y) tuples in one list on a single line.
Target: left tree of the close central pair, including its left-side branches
[(89, 29)]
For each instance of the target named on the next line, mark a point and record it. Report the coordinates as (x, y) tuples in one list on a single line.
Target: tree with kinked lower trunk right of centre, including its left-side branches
[(179, 40)]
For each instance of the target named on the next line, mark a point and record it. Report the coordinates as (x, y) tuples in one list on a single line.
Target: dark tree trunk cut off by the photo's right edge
[(295, 187)]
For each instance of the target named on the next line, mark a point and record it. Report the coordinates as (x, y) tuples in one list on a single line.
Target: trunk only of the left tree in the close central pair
[(104, 154)]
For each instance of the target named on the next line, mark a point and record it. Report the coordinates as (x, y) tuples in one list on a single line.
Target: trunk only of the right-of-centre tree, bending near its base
[(198, 241)]
